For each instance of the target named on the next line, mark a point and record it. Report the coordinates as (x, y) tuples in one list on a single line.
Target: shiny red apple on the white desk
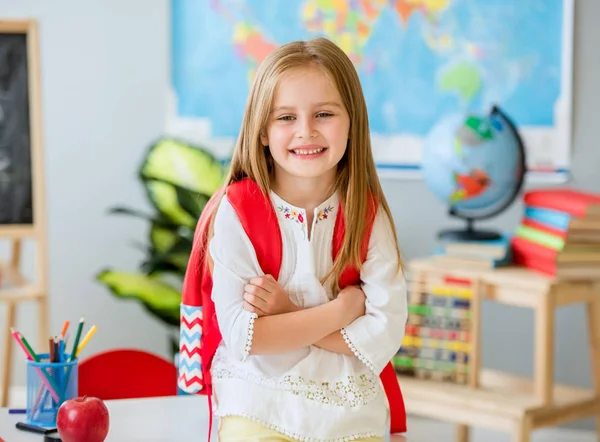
[(82, 419)]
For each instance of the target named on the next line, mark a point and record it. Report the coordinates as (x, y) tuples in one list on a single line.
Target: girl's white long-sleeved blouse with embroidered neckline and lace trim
[(309, 394)]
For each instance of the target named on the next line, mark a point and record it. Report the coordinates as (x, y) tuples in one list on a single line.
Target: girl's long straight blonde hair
[(357, 178)]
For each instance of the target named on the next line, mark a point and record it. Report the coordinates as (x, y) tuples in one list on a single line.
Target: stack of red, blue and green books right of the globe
[(560, 233)]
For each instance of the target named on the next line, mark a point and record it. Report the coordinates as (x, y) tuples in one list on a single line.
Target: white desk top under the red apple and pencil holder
[(167, 419)]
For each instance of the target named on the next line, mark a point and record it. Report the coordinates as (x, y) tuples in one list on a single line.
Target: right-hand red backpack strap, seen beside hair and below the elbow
[(351, 276)]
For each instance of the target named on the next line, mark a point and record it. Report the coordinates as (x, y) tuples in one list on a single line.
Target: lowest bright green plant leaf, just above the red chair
[(158, 297)]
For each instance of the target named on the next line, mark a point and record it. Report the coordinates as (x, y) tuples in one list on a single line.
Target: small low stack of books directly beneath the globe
[(484, 254)]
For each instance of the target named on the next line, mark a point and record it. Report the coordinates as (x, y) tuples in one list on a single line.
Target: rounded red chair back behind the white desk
[(126, 374)]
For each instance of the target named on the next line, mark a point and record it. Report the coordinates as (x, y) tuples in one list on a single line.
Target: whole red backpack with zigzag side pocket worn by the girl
[(200, 335)]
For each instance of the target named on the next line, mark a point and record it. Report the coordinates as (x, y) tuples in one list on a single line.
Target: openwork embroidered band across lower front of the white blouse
[(353, 391)]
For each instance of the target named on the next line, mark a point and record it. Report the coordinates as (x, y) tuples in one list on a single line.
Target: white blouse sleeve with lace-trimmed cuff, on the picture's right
[(377, 336)]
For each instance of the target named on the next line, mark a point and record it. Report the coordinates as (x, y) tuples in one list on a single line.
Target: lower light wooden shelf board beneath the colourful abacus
[(500, 401)]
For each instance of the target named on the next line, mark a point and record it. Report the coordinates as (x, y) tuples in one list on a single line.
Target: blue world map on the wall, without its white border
[(418, 60)]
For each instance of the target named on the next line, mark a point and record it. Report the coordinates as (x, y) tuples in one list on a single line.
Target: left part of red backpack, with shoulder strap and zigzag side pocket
[(198, 343)]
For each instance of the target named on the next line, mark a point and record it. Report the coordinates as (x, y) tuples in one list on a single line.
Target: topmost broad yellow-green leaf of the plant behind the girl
[(183, 165)]
